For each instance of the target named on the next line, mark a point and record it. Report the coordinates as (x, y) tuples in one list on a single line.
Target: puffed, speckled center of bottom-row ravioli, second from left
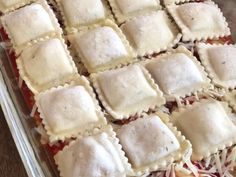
[(147, 140)]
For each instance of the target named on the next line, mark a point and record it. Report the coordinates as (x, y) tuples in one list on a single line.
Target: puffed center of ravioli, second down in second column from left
[(101, 46)]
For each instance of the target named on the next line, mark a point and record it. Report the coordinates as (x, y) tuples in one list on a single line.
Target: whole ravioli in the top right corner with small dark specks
[(204, 20)]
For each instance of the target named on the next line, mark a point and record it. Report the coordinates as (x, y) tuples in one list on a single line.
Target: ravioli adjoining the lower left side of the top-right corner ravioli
[(151, 33)]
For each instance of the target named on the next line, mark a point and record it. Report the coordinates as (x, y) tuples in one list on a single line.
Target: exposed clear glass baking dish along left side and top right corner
[(37, 160)]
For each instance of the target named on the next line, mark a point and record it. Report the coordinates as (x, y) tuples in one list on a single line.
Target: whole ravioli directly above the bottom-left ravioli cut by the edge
[(69, 110)]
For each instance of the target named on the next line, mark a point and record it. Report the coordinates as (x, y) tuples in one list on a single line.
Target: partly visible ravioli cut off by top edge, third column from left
[(124, 9)]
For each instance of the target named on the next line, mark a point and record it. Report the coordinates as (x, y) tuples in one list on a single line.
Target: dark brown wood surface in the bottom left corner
[(10, 162)]
